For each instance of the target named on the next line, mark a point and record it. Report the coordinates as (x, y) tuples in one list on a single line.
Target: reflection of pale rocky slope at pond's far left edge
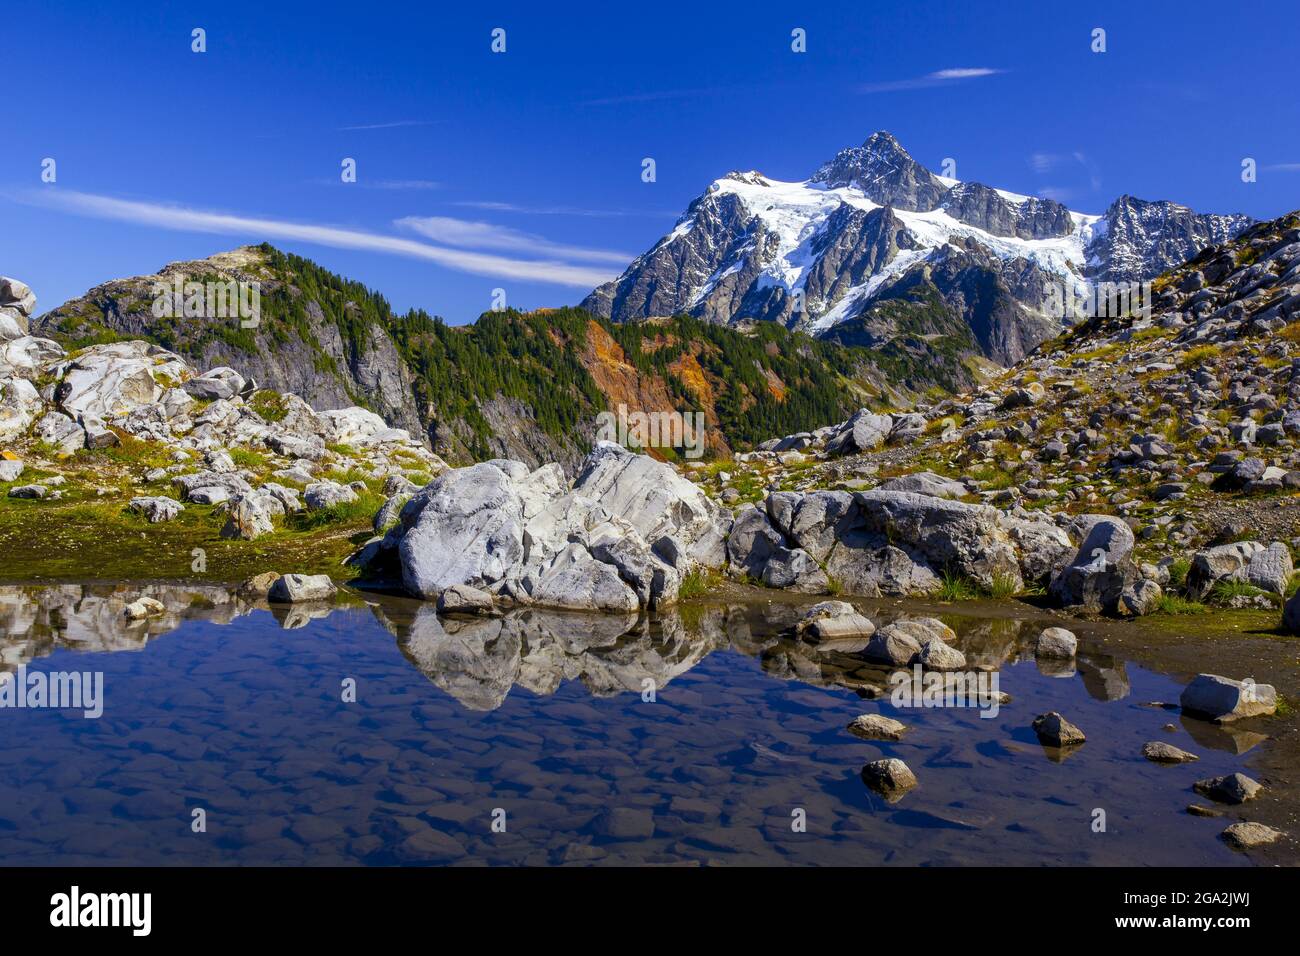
[(37, 621)]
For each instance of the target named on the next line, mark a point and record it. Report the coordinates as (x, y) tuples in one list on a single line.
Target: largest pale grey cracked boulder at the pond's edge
[(619, 539)]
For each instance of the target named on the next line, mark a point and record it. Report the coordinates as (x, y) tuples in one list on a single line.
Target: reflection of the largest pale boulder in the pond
[(479, 660)]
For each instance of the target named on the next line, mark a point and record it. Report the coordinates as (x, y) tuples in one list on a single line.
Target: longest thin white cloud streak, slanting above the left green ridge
[(185, 219)]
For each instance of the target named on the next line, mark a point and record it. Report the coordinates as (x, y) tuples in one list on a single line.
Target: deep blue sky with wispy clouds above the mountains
[(523, 170)]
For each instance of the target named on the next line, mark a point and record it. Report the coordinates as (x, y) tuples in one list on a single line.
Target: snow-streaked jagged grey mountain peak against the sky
[(877, 241)]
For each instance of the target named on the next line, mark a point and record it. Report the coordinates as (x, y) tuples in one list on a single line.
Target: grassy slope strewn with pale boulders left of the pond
[(136, 423)]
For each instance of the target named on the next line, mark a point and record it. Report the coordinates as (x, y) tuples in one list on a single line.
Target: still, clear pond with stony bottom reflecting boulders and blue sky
[(543, 716)]
